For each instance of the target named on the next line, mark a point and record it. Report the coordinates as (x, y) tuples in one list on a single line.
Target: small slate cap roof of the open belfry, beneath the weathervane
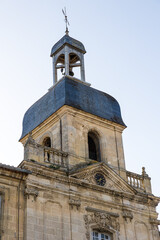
[(66, 39)]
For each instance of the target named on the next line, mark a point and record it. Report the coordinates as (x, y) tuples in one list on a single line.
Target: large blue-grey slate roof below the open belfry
[(75, 94)]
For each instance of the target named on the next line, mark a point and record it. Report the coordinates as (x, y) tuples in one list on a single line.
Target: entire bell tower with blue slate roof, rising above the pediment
[(81, 124)]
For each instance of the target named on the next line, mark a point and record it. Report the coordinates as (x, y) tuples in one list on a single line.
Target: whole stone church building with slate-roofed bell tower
[(73, 183)]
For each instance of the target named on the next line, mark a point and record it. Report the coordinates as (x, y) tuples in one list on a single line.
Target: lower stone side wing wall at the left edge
[(12, 204)]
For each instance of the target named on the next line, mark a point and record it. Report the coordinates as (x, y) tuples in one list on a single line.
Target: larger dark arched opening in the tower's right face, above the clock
[(93, 146)]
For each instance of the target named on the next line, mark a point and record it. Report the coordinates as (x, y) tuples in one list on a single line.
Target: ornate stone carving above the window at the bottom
[(102, 222)]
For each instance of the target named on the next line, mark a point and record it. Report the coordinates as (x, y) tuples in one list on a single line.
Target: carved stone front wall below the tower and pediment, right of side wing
[(65, 208)]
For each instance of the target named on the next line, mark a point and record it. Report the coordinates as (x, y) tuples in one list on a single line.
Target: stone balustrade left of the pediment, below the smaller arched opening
[(55, 156)]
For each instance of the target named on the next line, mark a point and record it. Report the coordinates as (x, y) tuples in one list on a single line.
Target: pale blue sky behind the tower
[(121, 38)]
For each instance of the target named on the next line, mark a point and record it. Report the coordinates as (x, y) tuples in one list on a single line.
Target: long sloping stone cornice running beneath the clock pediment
[(61, 176)]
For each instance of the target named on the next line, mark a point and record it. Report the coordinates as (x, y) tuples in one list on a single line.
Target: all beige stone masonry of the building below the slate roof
[(60, 199)]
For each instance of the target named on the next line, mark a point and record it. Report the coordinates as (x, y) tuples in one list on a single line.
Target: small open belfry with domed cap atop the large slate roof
[(68, 54)]
